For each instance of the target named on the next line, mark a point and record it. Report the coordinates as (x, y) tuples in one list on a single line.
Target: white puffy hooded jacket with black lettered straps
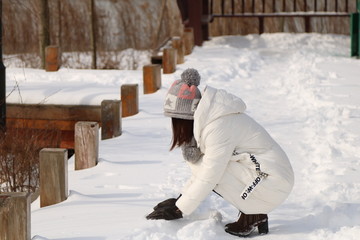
[(241, 161)]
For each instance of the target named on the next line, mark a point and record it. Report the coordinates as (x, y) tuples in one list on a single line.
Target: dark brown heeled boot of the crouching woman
[(247, 223)]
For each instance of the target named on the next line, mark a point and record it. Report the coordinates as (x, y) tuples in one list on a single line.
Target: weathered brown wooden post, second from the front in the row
[(53, 176)]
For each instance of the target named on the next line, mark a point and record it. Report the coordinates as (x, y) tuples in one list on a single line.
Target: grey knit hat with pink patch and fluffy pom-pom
[(183, 96)]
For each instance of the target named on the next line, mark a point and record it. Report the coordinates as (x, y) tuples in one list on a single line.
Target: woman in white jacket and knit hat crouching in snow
[(228, 152)]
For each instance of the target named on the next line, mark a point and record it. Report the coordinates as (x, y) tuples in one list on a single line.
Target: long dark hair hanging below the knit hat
[(182, 131)]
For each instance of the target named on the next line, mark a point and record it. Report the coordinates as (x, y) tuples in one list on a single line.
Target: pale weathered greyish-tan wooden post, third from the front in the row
[(86, 145)]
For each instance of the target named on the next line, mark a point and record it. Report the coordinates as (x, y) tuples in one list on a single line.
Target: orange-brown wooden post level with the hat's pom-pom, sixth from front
[(151, 78)]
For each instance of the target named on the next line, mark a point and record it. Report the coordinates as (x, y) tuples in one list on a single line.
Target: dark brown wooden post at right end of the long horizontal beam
[(110, 119)]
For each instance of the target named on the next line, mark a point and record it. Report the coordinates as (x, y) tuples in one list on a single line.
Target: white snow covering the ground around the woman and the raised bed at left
[(303, 88)]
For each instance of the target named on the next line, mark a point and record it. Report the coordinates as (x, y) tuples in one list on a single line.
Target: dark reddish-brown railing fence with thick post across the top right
[(198, 14)]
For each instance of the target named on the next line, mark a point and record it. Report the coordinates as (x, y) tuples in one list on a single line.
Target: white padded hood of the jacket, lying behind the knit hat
[(215, 103)]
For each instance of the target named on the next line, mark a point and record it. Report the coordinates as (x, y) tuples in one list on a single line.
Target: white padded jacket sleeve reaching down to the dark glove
[(218, 151)]
